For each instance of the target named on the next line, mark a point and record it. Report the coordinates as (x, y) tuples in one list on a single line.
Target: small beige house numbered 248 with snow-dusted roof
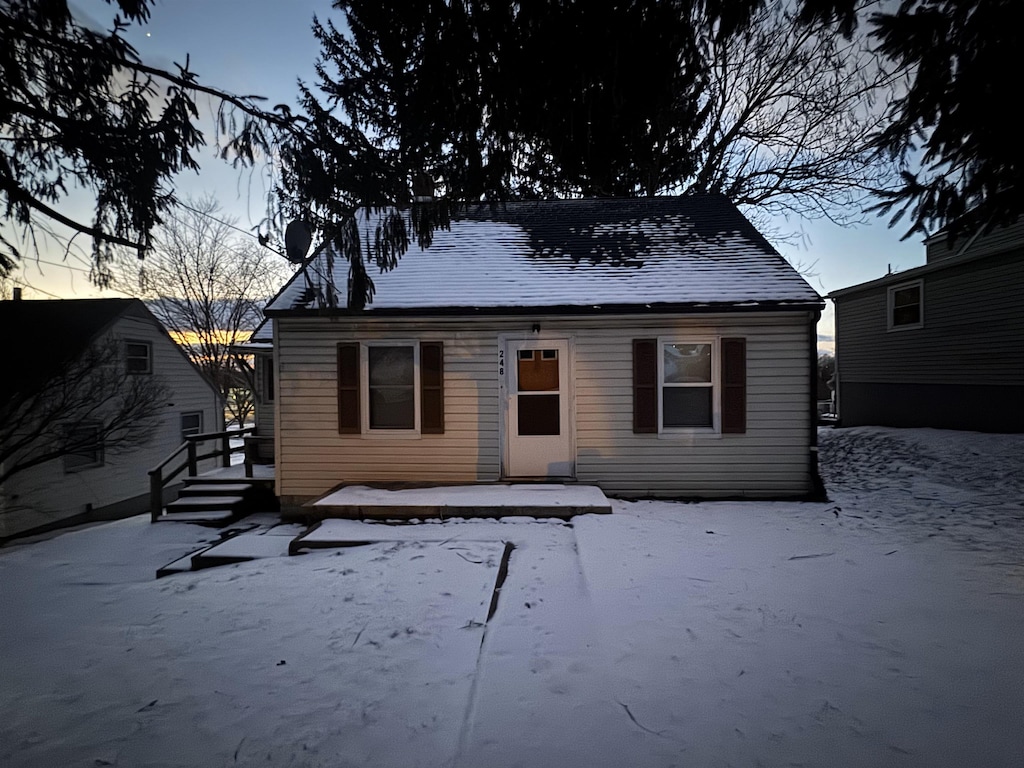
[(654, 347)]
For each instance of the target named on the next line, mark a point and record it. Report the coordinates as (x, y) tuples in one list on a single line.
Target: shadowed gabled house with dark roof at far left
[(45, 342)]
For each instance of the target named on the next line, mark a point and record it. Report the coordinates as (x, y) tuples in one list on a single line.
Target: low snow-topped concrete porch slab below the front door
[(496, 500)]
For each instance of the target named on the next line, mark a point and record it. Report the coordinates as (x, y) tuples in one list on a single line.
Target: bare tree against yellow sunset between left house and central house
[(207, 284)]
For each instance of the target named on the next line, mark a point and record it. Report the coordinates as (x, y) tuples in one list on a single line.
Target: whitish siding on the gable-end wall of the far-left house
[(124, 476)]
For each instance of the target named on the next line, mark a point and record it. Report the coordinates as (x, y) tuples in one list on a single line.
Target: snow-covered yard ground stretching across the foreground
[(884, 628)]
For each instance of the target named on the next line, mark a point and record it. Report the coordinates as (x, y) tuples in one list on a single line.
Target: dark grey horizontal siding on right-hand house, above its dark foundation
[(973, 329)]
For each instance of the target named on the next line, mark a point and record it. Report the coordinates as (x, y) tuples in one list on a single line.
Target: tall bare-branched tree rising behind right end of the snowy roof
[(791, 111)]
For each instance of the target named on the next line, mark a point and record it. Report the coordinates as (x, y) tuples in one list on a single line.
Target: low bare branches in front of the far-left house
[(40, 424)]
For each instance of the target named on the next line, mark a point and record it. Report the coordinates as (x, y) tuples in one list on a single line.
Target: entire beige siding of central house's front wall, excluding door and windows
[(772, 459)]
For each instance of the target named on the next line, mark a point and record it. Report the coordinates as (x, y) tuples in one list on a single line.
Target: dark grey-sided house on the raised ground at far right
[(941, 346)]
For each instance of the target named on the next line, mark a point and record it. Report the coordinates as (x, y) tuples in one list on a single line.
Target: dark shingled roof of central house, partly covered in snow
[(695, 251)]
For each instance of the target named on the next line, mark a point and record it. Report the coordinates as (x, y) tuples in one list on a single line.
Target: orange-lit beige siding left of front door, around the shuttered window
[(312, 456)]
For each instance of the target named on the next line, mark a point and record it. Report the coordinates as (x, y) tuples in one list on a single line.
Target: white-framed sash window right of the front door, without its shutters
[(688, 385)]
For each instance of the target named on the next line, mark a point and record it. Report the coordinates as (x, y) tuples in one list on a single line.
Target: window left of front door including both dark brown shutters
[(394, 388)]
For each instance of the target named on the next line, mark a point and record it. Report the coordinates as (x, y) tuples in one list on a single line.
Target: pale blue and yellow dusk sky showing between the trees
[(262, 48)]
